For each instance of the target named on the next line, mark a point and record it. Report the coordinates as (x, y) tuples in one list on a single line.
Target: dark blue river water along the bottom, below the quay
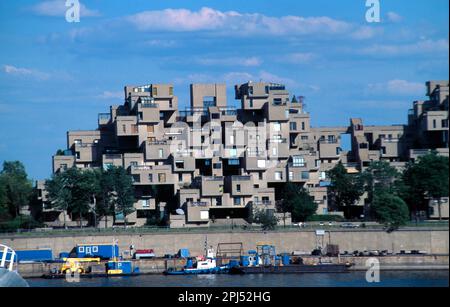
[(352, 279)]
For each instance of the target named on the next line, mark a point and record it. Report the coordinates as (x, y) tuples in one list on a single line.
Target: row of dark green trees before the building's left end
[(94, 192)]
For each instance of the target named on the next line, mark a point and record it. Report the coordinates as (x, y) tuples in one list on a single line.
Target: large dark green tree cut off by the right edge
[(426, 179)]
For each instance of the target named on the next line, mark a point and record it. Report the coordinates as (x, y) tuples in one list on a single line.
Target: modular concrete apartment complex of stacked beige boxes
[(217, 163)]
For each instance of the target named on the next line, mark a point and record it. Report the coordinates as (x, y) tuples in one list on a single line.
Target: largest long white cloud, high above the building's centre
[(208, 19)]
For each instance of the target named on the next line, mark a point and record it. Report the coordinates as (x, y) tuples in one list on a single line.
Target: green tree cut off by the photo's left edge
[(17, 189)]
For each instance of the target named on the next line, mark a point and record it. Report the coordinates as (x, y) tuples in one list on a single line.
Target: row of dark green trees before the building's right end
[(392, 195)]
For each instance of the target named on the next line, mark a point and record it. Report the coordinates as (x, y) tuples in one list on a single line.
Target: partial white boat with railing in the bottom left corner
[(9, 277)]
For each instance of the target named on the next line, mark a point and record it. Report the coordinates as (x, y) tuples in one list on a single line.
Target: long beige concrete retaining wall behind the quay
[(431, 241)]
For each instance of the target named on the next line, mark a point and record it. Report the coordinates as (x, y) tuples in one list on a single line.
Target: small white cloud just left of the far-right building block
[(397, 87)]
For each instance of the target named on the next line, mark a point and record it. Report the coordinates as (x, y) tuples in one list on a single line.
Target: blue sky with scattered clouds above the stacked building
[(56, 76)]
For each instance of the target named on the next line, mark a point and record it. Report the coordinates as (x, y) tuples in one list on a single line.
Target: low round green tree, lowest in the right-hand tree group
[(390, 210)]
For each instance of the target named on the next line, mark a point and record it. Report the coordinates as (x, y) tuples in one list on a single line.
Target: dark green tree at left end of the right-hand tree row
[(345, 189)]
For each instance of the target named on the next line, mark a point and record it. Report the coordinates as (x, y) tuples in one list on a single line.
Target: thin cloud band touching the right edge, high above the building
[(420, 47)]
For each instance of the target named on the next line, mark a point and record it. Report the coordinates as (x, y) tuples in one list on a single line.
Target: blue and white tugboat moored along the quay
[(207, 265)]
